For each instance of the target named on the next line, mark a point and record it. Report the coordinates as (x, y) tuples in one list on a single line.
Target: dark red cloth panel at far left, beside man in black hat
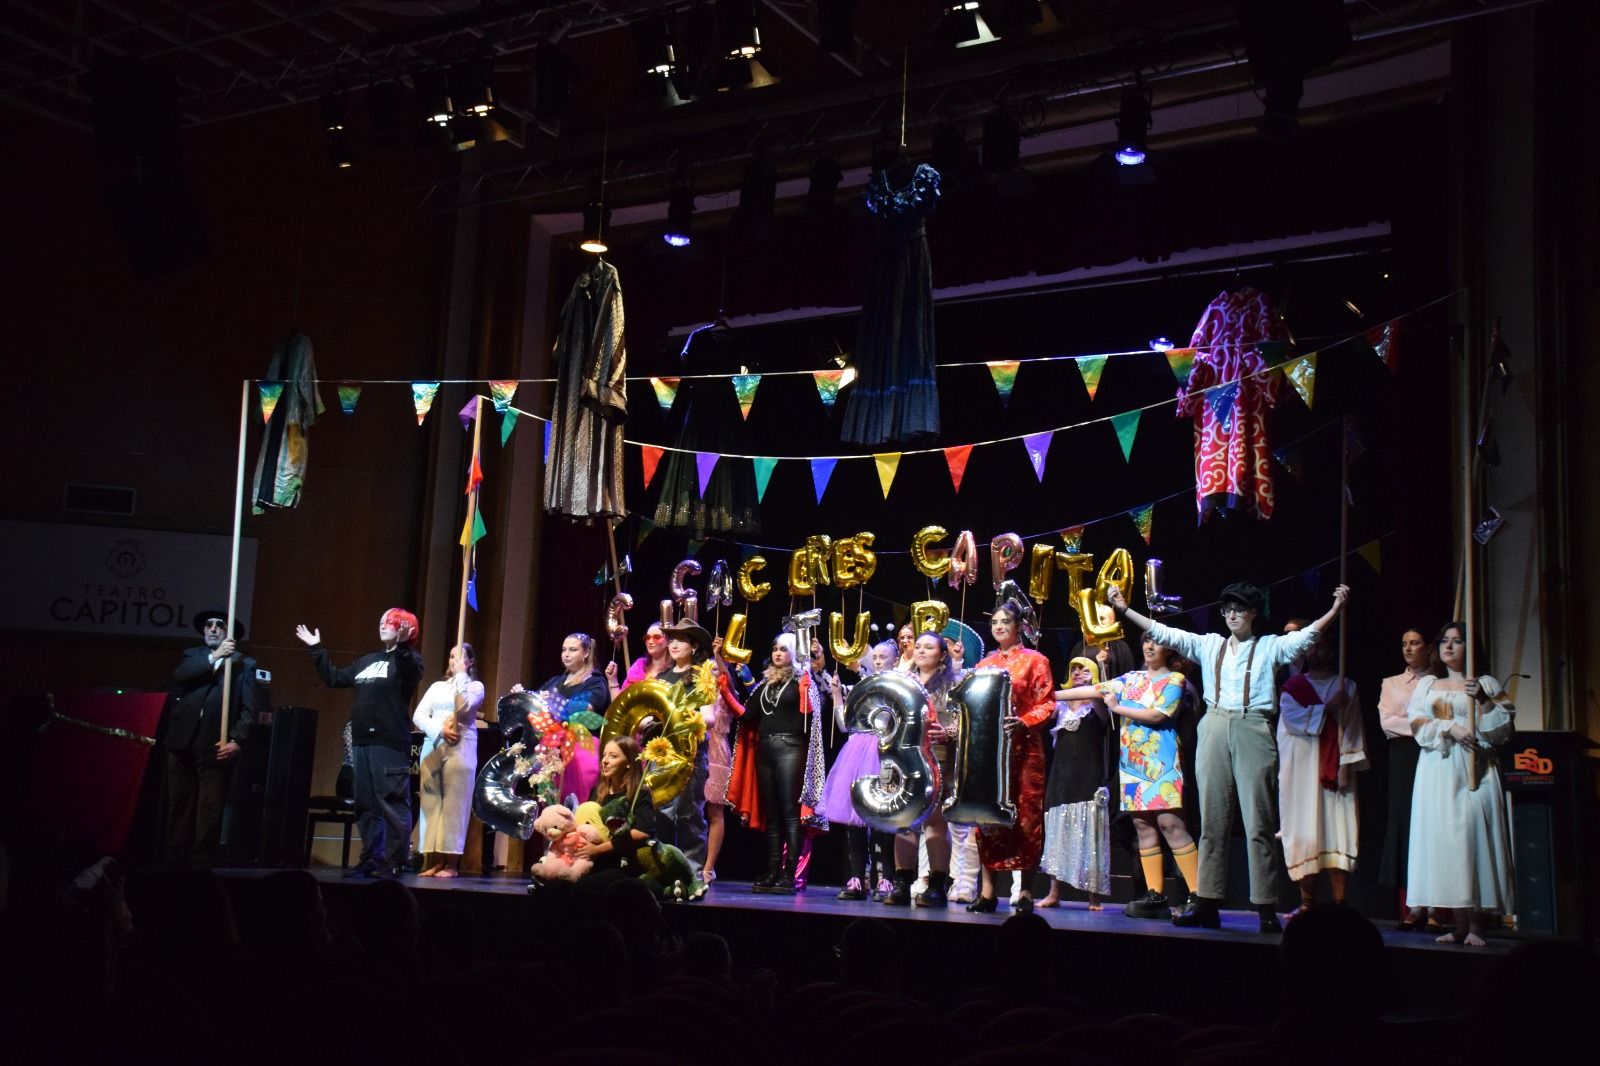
[(84, 782)]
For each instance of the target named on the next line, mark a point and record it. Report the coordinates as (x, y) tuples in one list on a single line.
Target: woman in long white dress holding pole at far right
[(1460, 836)]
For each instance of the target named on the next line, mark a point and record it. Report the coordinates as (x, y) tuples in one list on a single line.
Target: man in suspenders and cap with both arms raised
[(1236, 755)]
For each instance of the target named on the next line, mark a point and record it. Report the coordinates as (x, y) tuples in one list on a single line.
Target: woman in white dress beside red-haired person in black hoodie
[(449, 763)]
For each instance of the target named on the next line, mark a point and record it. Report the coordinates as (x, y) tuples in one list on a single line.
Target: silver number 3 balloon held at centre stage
[(902, 796)]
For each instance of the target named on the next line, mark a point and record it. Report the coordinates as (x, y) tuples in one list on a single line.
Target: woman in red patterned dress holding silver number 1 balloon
[(1020, 846)]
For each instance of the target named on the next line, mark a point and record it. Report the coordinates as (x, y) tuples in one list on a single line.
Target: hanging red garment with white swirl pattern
[(1230, 398)]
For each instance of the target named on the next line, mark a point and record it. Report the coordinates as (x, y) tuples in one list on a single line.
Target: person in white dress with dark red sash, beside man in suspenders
[(1321, 750)]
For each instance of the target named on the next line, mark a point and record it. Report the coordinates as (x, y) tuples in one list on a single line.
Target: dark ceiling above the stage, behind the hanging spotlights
[(574, 98)]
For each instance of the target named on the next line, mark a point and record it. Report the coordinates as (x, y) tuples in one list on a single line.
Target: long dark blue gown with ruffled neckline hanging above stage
[(895, 396)]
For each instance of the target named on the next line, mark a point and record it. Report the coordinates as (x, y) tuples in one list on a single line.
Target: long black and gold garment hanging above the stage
[(583, 478)]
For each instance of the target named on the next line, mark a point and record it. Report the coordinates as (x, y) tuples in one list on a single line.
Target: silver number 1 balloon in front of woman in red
[(983, 758)]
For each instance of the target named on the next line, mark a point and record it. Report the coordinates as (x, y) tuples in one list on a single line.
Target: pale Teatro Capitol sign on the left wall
[(102, 580)]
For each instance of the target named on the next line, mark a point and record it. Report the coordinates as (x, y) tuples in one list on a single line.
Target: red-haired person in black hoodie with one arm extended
[(382, 735)]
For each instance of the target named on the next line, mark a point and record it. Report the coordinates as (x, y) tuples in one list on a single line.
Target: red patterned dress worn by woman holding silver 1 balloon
[(1033, 700)]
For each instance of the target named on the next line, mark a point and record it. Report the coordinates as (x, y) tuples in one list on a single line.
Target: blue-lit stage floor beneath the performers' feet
[(1239, 928)]
